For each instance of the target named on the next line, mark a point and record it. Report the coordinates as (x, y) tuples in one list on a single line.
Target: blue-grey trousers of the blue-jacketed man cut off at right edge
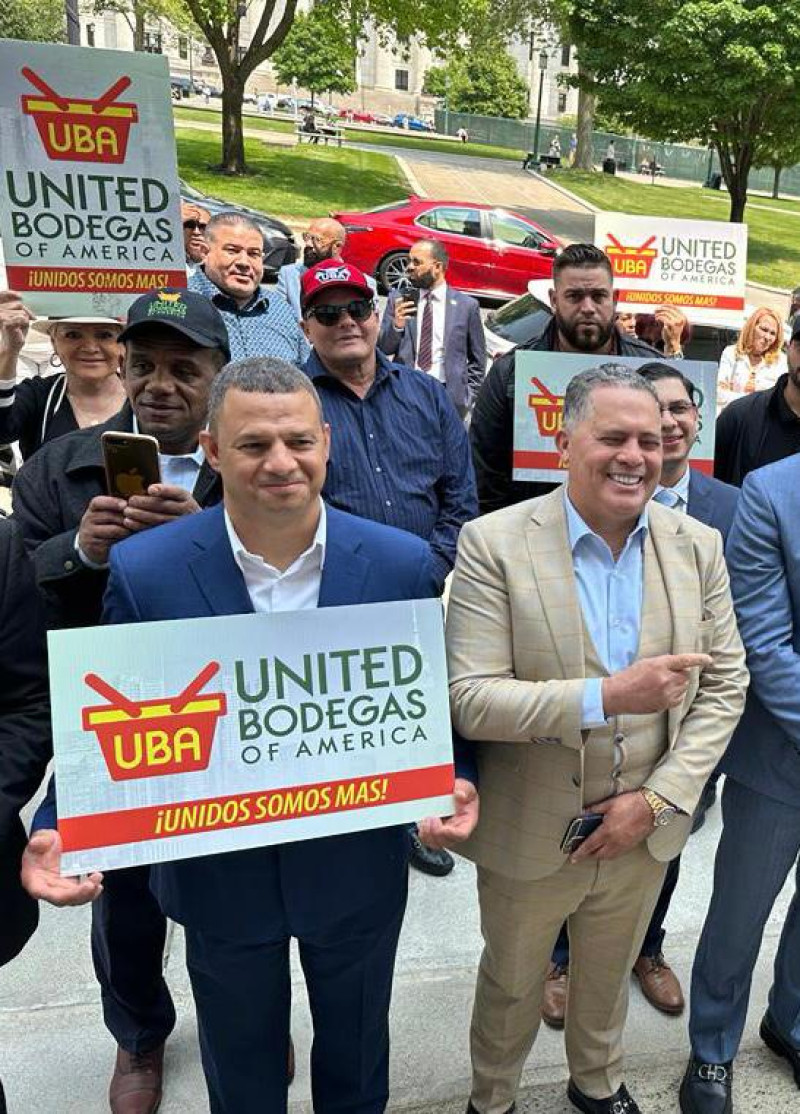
[(760, 845)]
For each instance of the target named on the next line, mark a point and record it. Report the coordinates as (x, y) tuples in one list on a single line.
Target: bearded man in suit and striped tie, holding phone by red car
[(442, 335)]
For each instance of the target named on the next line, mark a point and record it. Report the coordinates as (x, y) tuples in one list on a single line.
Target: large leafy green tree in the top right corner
[(721, 72)]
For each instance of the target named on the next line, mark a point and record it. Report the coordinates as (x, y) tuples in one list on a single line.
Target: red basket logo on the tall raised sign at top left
[(79, 130)]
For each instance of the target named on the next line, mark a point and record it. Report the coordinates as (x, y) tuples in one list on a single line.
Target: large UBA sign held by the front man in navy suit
[(194, 737)]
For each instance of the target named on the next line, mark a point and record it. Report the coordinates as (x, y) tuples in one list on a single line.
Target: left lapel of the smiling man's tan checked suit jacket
[(549, 549)]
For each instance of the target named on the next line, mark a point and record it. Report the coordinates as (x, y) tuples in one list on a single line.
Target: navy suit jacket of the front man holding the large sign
[(233, 895)]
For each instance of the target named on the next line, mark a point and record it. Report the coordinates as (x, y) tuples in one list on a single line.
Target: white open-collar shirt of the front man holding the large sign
[(297, 589)]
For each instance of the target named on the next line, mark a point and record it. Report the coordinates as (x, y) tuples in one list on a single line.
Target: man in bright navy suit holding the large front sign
[(275, 546)]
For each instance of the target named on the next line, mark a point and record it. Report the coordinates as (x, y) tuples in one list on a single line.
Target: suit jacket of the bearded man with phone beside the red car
[(465, 345)]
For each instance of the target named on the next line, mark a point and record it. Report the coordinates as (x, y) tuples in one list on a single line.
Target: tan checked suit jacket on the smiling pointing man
[(518, 665)]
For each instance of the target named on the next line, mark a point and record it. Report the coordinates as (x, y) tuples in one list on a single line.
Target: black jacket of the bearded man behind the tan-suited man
[(492, 432)]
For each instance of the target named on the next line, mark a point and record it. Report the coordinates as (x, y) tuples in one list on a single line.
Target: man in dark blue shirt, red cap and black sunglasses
[(399, 452)]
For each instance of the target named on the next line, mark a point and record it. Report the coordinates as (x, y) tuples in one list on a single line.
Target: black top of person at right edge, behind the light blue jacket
[(743, 431)]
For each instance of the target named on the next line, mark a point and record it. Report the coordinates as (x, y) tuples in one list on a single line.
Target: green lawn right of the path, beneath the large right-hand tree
[(774, 248)]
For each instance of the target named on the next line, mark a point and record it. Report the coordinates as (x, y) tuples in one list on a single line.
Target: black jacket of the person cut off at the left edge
[(25, 729)]
